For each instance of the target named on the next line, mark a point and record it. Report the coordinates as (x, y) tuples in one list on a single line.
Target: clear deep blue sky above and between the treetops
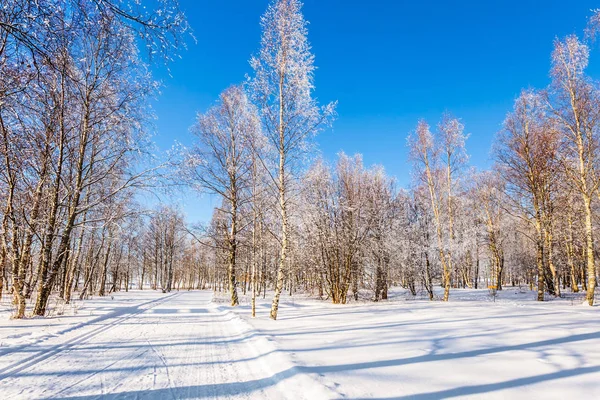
[(387, 62)]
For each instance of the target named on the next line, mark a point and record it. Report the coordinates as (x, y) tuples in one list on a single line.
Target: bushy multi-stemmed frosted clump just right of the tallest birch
[(349, 221)]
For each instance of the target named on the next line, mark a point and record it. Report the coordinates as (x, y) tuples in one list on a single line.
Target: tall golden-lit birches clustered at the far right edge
[(548, 157)]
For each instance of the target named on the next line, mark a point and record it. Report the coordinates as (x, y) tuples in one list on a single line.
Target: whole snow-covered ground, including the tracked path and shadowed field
[(141, 345)]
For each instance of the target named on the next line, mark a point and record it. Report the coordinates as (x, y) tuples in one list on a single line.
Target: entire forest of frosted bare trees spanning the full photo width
[(76, 153)]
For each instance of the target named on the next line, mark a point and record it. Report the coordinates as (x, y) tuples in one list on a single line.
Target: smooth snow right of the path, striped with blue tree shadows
[(470, 347)]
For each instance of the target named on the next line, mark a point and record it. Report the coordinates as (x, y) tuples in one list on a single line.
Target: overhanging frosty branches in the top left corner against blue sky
[(36, 26)]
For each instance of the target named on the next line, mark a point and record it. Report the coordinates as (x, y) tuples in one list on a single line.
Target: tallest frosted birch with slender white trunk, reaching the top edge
[(282, 88)]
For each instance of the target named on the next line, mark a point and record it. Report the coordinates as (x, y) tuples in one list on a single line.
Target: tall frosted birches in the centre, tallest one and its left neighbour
[(254, 139)]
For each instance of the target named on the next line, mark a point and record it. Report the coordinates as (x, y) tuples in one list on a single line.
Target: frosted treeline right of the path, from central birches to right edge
[(341, 229)]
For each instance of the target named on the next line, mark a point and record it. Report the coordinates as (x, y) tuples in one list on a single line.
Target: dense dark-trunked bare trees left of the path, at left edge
[(73, 132)]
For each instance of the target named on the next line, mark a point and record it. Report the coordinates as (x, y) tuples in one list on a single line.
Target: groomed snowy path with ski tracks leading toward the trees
[(156, 346)]
